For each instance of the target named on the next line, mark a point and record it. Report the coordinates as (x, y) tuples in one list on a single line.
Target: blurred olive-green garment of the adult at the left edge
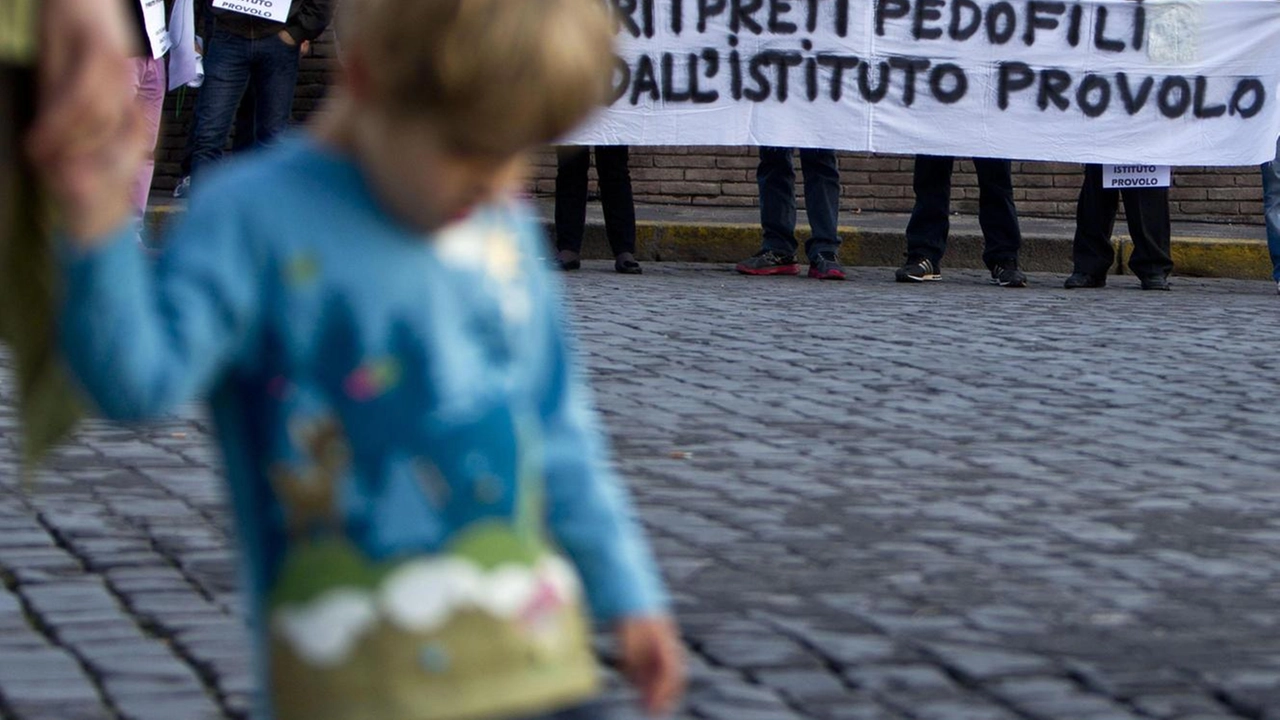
[(47, 402)]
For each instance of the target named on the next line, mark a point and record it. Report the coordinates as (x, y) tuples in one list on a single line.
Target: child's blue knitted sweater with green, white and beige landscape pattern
[(409, 449)]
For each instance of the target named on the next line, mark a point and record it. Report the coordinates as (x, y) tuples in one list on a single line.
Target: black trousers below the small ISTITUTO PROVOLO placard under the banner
[(1148, 212)]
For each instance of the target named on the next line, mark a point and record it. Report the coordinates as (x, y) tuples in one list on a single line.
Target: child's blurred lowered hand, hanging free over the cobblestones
[(653, 662)]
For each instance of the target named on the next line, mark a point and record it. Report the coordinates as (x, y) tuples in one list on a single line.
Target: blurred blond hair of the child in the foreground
[(495, 76)]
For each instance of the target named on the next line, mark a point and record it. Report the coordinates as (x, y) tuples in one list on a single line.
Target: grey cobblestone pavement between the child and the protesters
[(874, 502)]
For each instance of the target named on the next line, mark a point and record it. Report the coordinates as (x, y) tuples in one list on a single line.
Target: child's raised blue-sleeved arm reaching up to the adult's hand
[(140, 339)]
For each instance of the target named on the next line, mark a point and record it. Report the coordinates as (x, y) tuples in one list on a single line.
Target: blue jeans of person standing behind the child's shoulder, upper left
[(232, 65)]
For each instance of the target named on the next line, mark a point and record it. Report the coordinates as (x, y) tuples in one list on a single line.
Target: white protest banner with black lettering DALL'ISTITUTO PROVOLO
[(1099, 81)]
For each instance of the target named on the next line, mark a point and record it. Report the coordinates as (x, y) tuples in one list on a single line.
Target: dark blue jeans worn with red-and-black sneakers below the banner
[(776, 179)]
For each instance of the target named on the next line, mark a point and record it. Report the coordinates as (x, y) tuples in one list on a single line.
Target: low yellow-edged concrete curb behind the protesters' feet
[(688, 240)]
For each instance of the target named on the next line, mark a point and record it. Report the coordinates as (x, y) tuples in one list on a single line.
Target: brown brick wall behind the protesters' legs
[(726, 176)]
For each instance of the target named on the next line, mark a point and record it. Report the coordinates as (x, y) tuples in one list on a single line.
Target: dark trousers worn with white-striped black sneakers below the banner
[(931, 218)]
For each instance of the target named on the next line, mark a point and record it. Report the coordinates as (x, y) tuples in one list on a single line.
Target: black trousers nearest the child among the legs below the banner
[(615, 181)]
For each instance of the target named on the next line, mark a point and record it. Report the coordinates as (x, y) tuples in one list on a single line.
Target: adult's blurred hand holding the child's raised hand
[(85, 86)]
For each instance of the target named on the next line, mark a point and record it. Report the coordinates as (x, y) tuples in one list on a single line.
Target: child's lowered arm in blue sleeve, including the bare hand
[(593, 521)]
